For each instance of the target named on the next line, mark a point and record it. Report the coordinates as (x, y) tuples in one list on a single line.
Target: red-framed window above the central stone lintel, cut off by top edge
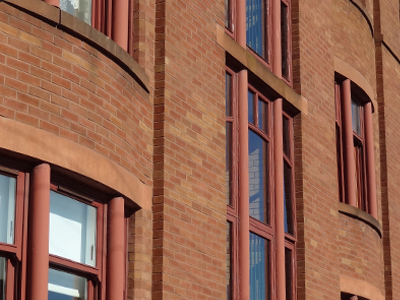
[(264, 28)]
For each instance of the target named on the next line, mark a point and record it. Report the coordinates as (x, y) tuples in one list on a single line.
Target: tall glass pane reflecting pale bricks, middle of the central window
[(258, 178)]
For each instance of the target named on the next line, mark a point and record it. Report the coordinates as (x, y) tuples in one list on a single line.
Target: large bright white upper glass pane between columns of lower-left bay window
[(72, 229)]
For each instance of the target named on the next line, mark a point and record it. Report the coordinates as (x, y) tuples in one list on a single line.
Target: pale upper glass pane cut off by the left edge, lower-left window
[(7, 208)]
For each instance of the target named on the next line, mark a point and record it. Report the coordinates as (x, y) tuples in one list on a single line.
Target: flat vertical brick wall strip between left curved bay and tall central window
[(189, 194)]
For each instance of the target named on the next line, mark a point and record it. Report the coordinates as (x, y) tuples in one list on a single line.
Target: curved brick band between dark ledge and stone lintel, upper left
[(54, 81)]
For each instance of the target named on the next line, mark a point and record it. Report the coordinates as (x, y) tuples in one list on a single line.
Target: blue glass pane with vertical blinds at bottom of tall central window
[(259, 268)]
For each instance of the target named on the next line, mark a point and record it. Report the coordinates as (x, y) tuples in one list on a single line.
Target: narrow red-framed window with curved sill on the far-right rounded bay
[(354, 147)]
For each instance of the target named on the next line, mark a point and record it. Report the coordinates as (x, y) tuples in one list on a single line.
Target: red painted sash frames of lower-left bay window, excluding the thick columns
[(17, 254)]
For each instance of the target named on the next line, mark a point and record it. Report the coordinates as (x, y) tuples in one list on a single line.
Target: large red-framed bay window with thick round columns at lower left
[(64, 246)]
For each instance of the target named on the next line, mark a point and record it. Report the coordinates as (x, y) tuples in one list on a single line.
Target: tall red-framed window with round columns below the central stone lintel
[(252, 213)]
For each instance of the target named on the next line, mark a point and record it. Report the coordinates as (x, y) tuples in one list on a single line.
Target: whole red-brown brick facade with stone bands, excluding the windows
[(156, 117)]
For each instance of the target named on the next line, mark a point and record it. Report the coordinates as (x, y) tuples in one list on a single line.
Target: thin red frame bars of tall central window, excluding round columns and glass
[(267, 231)]
